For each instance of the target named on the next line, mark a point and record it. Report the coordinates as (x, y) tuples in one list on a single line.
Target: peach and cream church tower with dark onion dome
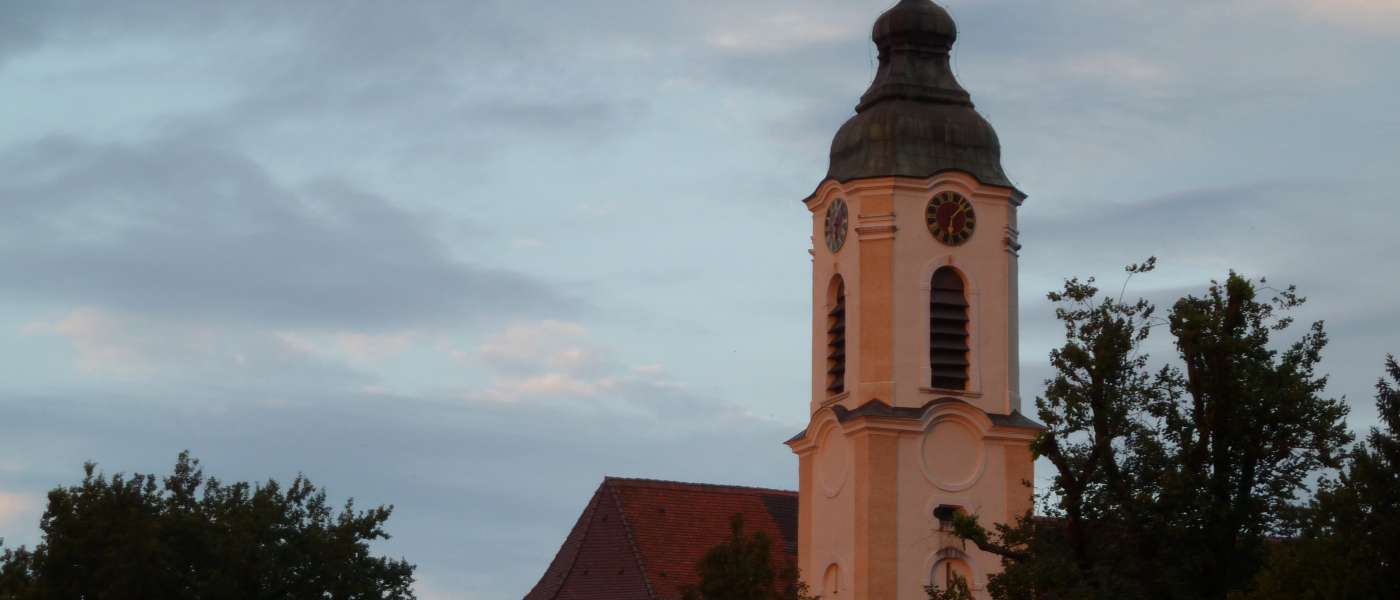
[(916, 412)]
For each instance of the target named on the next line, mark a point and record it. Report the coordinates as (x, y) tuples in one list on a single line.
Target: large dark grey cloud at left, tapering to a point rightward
[(183, 229)]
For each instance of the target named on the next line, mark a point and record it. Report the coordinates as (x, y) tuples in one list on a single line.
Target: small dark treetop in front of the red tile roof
[(741, 569)]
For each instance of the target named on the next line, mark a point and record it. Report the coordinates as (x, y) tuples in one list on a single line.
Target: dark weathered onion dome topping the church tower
[(916, 121)]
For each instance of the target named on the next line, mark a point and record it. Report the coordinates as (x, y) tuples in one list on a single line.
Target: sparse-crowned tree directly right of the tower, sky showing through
[(1095, 405)]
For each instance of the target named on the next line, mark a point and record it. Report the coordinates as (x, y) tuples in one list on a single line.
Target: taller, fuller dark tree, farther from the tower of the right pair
[(1251, 434)]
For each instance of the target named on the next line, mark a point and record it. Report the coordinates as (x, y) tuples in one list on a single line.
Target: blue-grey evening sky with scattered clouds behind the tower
[(470, 258)]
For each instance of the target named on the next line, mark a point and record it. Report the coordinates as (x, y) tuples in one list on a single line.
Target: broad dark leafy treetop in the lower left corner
[(194, 538)]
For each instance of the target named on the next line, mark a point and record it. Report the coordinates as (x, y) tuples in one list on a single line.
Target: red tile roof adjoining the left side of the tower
[(642, 539)]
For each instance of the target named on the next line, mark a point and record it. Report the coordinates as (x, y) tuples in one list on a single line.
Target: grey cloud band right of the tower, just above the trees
[(1291, 227)]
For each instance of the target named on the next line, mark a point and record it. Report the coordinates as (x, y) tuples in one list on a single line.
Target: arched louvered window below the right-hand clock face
[(948, 331)]
